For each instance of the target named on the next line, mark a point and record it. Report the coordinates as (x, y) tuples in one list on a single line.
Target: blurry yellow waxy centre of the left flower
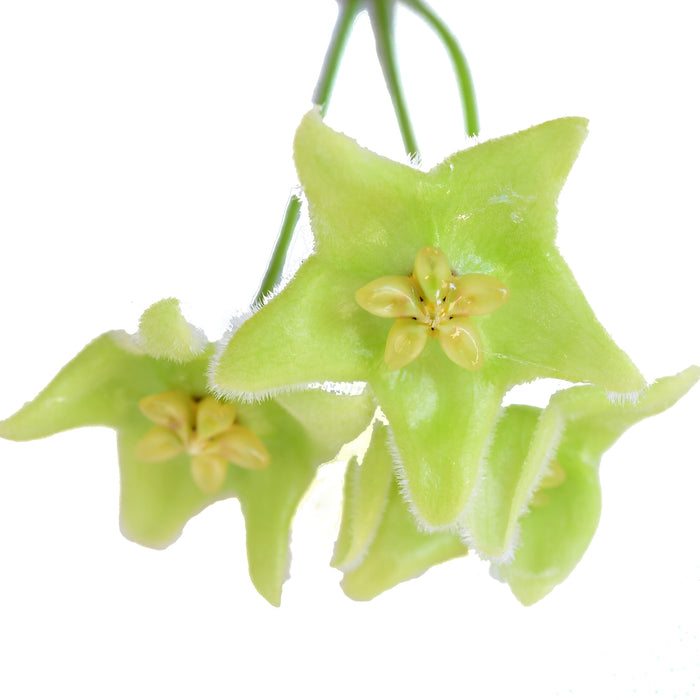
[(203, 428)]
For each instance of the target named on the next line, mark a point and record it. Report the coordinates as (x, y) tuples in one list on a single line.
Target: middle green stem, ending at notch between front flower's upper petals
[(382, 16)]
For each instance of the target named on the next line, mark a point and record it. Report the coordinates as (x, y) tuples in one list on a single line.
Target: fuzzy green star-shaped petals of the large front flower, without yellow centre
[(490, 210)]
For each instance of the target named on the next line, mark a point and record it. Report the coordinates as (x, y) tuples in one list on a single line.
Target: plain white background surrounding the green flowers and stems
[(145, 151)]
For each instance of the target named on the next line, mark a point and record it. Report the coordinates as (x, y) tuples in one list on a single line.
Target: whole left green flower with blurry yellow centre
[(180, 449)]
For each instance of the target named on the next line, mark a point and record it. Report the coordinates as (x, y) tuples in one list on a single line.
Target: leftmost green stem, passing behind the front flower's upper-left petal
[(347, 13)]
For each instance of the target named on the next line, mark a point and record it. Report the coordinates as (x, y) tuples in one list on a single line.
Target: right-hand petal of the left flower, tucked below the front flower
[(330, 420)]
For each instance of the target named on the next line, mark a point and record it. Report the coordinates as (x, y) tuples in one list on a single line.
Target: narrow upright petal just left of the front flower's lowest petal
[(365, 495)]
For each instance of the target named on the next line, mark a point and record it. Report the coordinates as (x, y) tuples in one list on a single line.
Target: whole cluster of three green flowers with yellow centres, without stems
[(464, 255)]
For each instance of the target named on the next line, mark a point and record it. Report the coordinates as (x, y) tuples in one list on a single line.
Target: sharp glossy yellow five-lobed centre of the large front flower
[(433, 302)]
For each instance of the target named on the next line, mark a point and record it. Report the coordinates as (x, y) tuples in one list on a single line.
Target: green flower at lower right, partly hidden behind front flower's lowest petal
[(533, 518)]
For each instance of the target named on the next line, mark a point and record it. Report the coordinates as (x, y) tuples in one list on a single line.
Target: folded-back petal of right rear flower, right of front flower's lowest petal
[(525, 441)]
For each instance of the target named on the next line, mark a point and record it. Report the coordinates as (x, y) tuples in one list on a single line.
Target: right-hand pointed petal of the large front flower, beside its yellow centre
[(547, 329)]
